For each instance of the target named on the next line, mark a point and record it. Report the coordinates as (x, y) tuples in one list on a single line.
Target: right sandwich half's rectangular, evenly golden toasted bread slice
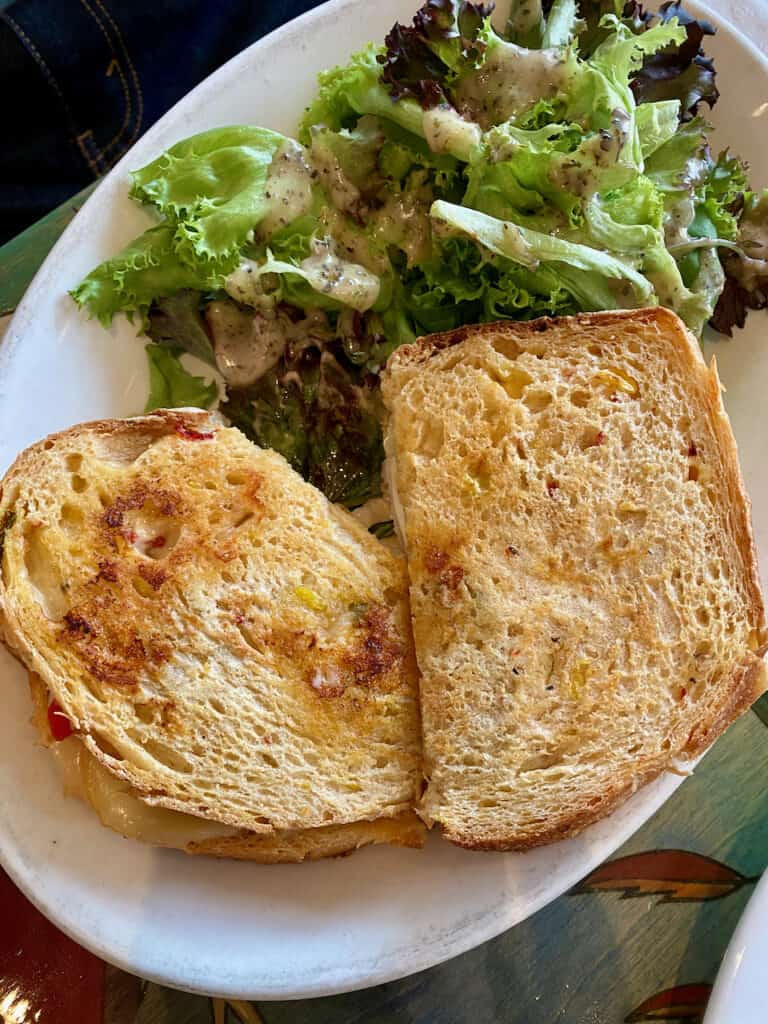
[(584, 585)]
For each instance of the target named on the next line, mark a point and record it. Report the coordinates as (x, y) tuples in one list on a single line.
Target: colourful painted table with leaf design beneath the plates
[(641, 940)]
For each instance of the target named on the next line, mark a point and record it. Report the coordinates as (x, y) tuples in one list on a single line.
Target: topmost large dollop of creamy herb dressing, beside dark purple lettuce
[(511, 80)]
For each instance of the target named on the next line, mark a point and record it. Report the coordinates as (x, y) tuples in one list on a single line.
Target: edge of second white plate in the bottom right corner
[(739, 996)]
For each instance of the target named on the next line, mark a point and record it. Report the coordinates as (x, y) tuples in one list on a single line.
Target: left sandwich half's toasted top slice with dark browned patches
[(221, 637)]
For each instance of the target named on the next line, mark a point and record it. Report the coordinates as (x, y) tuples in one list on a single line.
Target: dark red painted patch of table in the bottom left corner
[(60, 980)]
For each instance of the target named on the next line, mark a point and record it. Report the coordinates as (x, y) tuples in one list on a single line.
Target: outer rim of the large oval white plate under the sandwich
[(181, 979)]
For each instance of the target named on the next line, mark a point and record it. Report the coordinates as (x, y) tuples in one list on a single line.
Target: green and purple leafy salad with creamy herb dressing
[(455, 175)]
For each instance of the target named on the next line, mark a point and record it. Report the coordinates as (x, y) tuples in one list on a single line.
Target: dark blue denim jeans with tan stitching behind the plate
[(80, 81)]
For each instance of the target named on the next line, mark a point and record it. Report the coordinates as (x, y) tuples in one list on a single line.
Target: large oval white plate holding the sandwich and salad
[(244, 930)]
